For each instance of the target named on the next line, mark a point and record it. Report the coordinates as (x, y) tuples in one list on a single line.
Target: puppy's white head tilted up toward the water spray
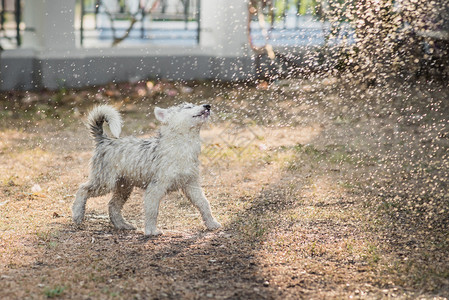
[(183, 117)]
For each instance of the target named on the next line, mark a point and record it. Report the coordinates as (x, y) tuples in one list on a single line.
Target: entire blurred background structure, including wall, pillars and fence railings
[(75, 43)]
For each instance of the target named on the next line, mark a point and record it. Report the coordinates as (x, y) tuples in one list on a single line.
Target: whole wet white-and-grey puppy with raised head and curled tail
[(158, 165)]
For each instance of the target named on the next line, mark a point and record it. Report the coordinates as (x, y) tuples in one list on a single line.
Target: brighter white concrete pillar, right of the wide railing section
[(223, 27)]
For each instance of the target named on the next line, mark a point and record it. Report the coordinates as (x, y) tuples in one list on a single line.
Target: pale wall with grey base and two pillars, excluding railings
[(50, 57)]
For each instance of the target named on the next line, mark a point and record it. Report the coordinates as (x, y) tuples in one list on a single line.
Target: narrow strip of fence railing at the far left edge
[(10, 19)]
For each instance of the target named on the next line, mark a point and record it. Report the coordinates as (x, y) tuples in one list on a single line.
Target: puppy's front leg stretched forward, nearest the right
[(195, 194)]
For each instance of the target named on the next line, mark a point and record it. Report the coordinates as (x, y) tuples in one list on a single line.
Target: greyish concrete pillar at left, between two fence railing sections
[(50, 24)]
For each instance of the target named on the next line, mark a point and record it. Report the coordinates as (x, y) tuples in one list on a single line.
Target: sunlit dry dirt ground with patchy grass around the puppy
[(326, 189)]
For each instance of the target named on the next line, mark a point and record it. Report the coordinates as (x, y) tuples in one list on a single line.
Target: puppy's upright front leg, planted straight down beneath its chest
[(152, 198)]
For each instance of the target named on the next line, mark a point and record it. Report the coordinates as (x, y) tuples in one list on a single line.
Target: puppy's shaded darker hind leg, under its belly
[(121, 194)]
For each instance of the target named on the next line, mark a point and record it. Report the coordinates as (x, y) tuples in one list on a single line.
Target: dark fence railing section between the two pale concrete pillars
[(139, 21)]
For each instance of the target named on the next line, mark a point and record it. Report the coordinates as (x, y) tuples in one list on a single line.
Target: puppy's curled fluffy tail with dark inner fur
[(98, 116)]
